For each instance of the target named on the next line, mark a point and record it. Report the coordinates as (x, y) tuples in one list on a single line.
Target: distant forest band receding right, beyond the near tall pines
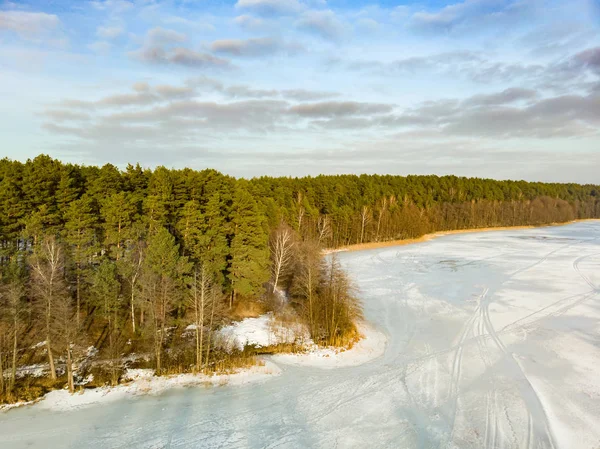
[(349, 209)]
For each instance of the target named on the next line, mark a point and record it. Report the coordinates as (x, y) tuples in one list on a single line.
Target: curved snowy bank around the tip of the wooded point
[(368, 348)]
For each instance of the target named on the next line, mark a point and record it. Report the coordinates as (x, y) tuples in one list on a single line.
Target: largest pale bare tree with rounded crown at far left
[(48, 285)]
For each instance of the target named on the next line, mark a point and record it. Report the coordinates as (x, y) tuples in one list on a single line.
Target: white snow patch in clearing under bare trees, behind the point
[(261, 332)]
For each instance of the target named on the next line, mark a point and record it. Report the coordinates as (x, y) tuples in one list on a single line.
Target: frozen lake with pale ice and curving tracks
[(493, 341)]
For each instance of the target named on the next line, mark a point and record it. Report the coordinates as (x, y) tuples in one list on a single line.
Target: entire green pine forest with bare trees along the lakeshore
[(118, 259)]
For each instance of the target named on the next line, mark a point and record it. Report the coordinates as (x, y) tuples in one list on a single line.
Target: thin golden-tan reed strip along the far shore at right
[(434, 235)]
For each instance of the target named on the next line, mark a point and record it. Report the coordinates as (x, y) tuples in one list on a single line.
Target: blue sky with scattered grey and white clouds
[(487, 88)]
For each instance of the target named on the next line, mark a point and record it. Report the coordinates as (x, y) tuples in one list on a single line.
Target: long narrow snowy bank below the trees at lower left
[(143, 381)]
